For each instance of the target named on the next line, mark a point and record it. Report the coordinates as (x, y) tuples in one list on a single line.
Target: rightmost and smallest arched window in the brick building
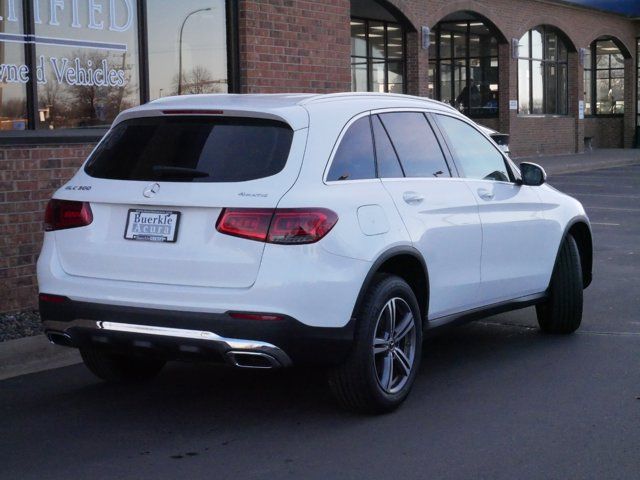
[(603, 78)]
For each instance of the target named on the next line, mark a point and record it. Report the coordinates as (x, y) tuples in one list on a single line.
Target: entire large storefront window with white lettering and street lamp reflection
[(71, 64)]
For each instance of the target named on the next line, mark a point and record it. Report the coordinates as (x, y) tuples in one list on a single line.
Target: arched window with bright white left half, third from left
[(542, 72)]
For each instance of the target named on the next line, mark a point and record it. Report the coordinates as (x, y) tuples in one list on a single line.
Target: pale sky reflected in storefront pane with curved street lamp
[(203, 44)]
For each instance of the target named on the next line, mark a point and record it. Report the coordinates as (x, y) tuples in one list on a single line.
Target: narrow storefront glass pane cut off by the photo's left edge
[(13, 77)]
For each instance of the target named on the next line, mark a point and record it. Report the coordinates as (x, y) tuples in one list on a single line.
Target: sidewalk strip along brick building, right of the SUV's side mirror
[(580, 162)]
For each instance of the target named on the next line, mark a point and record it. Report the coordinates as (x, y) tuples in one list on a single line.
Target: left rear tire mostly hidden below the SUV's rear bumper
[(117, 368)]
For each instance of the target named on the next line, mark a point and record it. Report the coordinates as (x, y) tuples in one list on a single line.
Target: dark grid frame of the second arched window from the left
[(437, 61)]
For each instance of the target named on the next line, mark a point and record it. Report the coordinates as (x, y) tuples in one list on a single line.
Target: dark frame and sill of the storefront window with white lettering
[(32, 135)]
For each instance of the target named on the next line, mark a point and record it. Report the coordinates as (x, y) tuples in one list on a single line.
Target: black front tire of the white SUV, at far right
[(562, 311)]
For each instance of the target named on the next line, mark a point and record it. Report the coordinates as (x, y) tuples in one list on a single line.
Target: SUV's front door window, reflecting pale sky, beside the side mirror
[(474, 154)]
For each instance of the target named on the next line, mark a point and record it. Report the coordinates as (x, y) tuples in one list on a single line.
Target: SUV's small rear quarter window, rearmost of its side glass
[(354, 158)]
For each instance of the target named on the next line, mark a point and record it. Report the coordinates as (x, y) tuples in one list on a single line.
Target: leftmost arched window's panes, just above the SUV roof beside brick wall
[(377, 56)]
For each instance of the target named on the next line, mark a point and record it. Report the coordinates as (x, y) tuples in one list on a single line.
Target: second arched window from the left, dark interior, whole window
[(463, 61)]
